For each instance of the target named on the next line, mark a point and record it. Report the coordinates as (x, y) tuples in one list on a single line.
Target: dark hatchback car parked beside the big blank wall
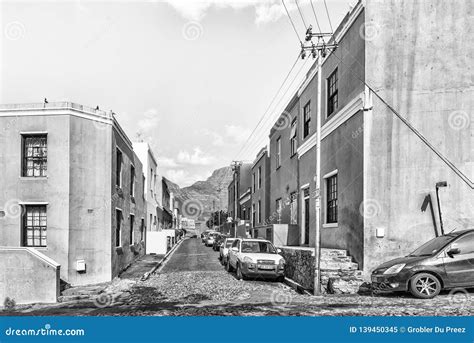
[(444, 262)]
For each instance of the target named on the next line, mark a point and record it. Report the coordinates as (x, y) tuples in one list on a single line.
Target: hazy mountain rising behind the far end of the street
[(202, 198)]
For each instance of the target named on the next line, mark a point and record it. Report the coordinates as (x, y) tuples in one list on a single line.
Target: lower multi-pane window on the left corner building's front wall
[(34, 226)]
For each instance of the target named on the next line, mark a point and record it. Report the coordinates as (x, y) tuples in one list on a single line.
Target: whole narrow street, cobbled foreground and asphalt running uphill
[(193, 282)]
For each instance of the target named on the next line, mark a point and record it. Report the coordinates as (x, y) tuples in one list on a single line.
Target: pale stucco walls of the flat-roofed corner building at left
[(78, 191)]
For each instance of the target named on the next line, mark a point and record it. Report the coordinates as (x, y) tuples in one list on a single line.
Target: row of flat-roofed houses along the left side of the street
[(76, 192)]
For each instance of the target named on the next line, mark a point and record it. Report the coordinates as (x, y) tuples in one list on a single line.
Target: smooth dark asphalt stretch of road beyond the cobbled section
[(192, 255)]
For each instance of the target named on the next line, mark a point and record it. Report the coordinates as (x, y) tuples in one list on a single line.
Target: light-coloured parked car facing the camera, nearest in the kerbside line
[(255, 258)]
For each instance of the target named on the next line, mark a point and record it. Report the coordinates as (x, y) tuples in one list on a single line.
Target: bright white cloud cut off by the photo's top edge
[(265, 10)]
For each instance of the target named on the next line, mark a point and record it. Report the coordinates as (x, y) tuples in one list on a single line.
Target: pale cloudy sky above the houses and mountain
[(192, 78)]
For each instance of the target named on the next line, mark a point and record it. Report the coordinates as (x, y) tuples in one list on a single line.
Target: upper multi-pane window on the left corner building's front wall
[(35, 153)]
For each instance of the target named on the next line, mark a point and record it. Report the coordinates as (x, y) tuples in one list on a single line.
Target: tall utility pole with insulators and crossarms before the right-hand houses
[(318, 51)]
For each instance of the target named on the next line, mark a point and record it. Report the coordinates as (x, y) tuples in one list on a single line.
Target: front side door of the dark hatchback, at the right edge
[(460, 267)]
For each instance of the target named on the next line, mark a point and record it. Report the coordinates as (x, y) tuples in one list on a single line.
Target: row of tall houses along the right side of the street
[(375, 170)]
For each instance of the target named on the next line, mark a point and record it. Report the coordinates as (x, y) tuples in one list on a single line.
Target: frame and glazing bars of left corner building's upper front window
[(41, 161)]
